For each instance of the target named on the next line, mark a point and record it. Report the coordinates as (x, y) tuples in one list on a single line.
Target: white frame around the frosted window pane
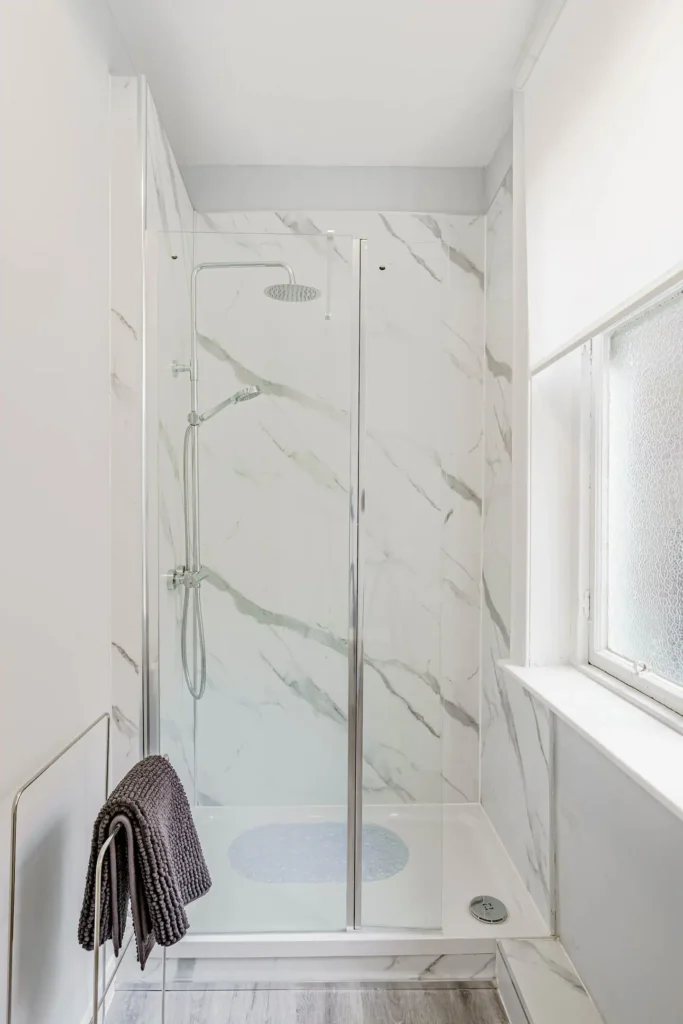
[(633, 674)]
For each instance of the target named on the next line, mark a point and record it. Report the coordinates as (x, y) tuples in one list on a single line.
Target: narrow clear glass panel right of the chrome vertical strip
[(403, 540)]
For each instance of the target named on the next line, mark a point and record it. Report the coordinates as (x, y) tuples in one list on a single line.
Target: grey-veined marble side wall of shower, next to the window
[(516, 730)]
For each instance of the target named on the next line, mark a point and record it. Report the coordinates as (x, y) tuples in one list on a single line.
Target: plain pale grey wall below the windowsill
[(619, 885)]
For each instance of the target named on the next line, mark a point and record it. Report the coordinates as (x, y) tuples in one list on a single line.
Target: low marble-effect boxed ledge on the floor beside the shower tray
[(545, 980)]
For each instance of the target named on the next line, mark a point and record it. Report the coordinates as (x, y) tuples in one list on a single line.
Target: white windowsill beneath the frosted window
[(643, 746)]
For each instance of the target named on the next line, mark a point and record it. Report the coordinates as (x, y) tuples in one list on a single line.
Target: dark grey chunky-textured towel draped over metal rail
[(156, 861)]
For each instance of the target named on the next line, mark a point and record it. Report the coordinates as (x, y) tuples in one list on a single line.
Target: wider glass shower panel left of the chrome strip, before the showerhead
[(265, 752)]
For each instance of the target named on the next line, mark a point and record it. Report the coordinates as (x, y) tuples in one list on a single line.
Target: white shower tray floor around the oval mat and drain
[(422, 897)]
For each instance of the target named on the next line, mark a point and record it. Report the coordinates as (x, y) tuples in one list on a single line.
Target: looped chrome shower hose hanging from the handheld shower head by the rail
[(195, 675)]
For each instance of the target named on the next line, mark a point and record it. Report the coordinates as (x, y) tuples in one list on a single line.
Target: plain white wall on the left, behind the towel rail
[(55, 467)]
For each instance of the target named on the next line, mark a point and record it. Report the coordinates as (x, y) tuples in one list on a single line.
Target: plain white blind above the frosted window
[(604, 162)]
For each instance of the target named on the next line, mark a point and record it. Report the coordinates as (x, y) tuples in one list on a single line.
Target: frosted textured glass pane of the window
[(646, 491)]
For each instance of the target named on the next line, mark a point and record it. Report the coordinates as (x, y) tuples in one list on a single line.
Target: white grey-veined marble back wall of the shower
[(275, 494)]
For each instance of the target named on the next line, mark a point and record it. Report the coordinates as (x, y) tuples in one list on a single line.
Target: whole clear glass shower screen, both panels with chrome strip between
[(309, 741)]
